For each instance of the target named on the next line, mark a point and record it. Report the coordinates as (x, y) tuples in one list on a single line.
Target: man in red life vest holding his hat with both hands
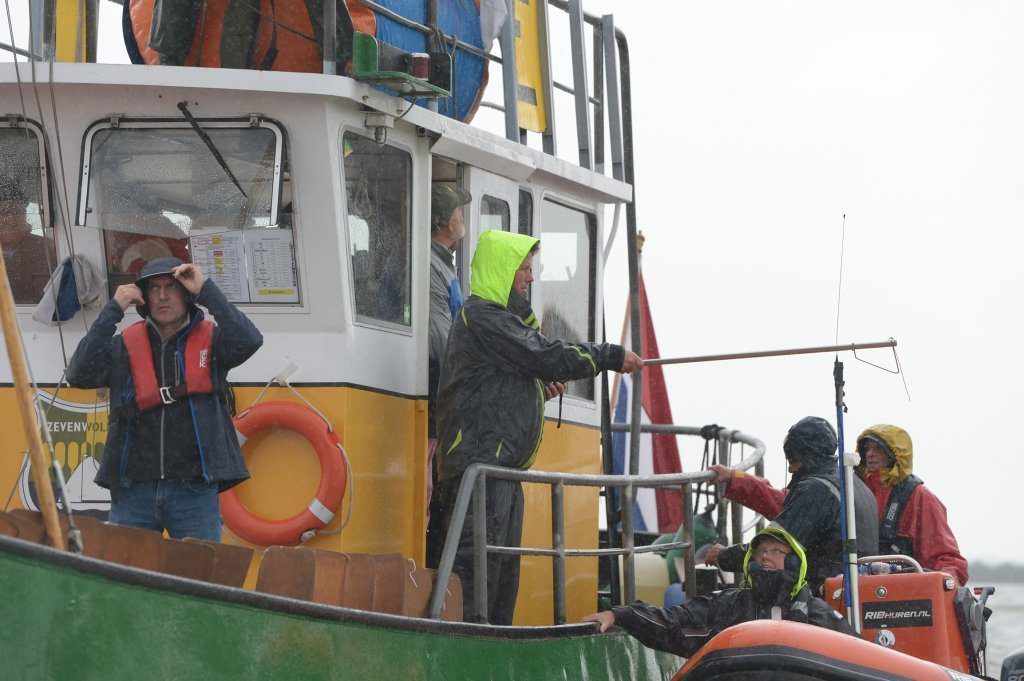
[(172, 447)]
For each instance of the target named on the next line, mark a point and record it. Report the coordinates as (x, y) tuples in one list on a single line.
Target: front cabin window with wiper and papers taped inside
[(158, 189)]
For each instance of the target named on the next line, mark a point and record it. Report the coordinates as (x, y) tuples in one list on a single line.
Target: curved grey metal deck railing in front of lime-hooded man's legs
[(473, 490)]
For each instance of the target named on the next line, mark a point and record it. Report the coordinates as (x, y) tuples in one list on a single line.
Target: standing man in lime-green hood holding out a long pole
[(497, 374)]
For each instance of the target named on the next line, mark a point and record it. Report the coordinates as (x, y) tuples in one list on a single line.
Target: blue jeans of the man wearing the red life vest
[(184, 508)]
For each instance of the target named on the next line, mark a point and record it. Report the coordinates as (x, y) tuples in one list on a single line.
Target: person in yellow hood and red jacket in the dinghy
[(912, 520)]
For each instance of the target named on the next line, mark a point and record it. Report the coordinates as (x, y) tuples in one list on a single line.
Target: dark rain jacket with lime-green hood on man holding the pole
[(491, 399)]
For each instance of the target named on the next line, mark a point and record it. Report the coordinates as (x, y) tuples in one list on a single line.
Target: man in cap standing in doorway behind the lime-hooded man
[(448, 227)]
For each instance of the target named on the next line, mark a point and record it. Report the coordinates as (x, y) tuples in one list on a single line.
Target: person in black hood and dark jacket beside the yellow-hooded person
[(809, 509)]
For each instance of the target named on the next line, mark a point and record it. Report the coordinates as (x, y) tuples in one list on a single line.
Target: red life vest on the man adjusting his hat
[(199, 355)]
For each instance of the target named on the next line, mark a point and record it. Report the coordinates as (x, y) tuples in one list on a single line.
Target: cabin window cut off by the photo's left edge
[(26, 231)]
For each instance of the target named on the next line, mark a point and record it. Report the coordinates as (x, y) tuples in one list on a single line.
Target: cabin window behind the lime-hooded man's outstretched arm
[(565, 300)]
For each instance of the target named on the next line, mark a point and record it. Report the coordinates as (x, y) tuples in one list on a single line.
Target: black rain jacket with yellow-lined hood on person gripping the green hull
[(684, 629)]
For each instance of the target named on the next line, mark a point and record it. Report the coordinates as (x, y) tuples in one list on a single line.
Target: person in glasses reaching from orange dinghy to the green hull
[(774, 588)]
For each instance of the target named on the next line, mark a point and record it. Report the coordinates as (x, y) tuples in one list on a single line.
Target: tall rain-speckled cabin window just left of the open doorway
[(378, 196)]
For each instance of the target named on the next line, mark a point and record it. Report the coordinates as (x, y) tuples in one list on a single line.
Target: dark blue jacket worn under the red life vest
[(102, 361)]
